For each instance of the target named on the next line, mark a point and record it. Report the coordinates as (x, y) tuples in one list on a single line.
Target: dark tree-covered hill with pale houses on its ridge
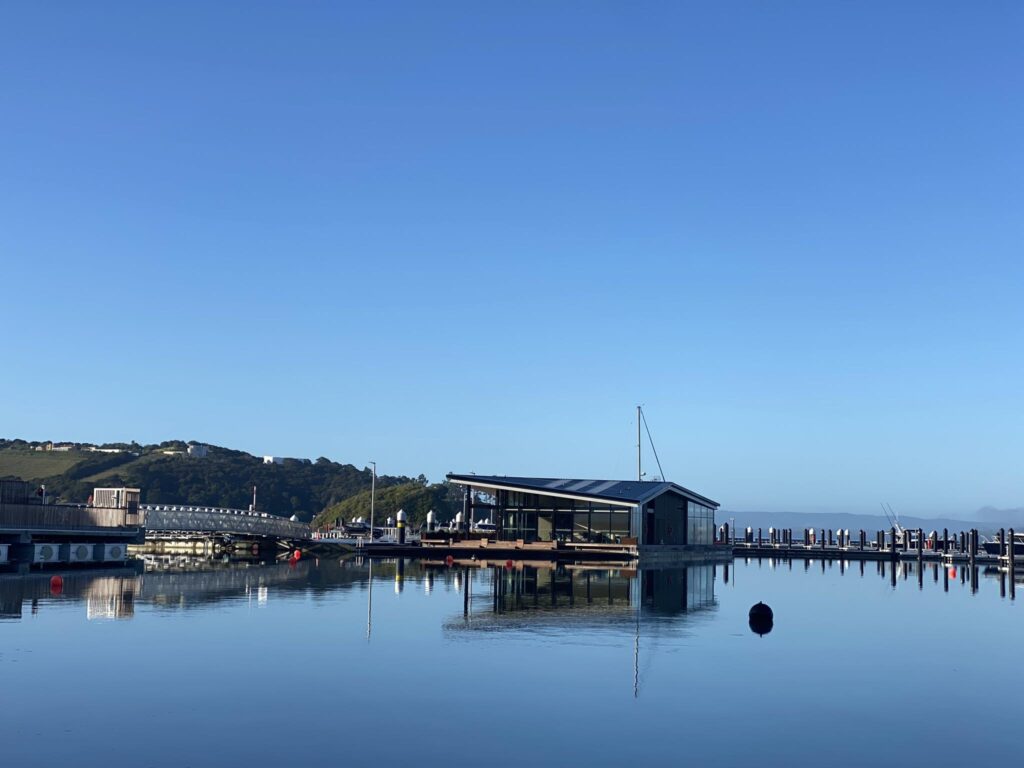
[(224, 479)]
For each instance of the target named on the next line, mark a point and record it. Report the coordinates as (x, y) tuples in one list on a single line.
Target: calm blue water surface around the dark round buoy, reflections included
[(428, 665)]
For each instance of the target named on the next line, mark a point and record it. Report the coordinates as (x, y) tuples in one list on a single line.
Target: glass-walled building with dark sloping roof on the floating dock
[(589, 513)]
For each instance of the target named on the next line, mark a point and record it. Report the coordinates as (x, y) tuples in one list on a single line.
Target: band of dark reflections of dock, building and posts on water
[(495, 595)]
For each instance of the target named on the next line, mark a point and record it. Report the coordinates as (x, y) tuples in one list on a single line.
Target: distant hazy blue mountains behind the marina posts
[(990, 520)]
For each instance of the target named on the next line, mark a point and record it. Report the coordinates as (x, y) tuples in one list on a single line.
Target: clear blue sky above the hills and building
[(470, 237)]
